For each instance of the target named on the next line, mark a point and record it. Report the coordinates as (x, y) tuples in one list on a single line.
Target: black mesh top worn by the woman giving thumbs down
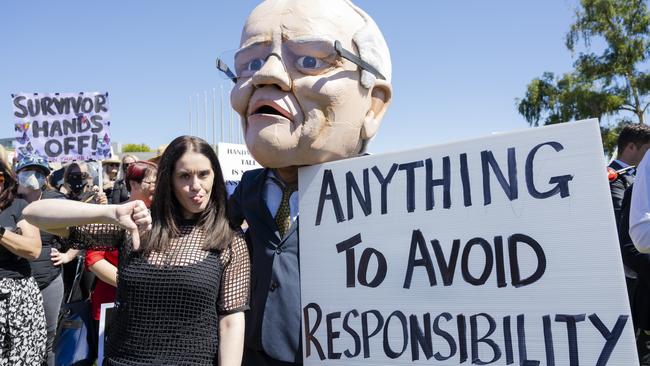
[(167, 304)]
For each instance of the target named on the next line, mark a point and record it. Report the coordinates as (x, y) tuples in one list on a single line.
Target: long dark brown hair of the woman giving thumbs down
[(166, 211)]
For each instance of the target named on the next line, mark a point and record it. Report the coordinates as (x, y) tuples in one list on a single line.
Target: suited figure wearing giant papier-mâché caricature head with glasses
[(312, 85)]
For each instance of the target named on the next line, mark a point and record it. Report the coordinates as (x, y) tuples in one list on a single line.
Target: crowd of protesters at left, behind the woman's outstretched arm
[(37, 270)]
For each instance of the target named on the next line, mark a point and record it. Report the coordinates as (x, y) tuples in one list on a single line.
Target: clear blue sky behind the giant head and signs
[(457, 65)]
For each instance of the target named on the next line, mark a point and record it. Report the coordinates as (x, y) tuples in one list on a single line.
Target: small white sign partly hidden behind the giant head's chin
[(234, 160)]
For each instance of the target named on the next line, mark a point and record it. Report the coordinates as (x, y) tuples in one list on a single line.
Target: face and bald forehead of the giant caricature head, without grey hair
[(299, 103)]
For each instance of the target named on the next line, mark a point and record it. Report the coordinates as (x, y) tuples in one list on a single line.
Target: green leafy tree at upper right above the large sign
[(609, 83)]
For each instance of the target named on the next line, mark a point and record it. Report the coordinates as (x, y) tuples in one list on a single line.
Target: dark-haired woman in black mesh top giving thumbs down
[(184, 275)]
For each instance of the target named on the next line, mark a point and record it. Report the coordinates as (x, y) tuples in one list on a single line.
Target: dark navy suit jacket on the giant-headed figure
[(273, 322)]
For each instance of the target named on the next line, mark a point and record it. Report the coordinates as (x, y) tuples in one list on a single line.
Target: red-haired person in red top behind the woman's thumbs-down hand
[(140, 179)]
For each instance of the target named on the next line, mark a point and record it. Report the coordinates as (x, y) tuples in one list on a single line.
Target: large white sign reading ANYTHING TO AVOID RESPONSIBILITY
[(501, 250)]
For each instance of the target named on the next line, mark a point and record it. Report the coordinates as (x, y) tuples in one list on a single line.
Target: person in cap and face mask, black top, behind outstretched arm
[(32, 172)]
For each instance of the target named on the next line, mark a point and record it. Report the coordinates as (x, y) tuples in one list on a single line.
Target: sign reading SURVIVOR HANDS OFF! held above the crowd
[(62, 126)]
